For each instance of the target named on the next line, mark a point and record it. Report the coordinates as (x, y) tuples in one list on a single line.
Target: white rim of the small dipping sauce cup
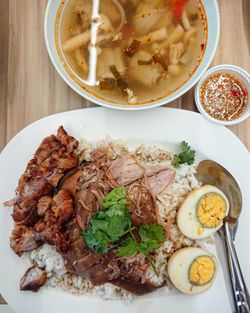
[(215, 69)]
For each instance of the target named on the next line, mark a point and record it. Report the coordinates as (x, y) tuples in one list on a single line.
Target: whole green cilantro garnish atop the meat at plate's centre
[(107, 227)]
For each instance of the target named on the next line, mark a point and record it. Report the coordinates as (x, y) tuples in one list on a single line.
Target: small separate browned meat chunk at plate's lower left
[(33, 279)]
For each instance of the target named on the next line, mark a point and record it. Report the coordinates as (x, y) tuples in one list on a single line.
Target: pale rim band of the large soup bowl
[(128, 107)]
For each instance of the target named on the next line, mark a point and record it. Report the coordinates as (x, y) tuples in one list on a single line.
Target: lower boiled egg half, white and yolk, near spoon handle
[(192, 270)]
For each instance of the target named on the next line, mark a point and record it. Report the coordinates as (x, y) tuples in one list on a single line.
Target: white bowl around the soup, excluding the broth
[(213, 18)]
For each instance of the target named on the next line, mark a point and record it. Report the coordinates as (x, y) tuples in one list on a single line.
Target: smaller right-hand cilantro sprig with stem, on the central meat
[(151, 235)]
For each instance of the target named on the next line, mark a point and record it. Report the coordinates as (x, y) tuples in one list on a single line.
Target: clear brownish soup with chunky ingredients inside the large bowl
[(131, 51)]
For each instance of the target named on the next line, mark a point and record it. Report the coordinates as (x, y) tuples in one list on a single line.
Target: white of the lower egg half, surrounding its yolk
[(178, 270)]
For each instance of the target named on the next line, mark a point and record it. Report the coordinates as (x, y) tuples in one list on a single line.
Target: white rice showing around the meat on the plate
[(168, 202)]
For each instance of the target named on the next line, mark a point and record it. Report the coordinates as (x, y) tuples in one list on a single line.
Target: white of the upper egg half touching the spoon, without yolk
[(186, 216)]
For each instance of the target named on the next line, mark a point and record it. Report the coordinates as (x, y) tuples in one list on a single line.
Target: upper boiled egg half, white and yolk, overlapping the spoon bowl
[(202, 212)]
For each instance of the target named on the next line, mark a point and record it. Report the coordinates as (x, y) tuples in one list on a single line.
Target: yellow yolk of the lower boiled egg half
[(201, 271)]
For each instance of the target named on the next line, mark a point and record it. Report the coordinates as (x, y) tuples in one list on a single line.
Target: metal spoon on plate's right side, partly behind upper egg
[(210, 172)]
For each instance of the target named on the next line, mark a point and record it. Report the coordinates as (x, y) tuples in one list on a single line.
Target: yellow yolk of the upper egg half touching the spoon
[(211, 210)]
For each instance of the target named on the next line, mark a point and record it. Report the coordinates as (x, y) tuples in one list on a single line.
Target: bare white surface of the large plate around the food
[(167, 127)]
